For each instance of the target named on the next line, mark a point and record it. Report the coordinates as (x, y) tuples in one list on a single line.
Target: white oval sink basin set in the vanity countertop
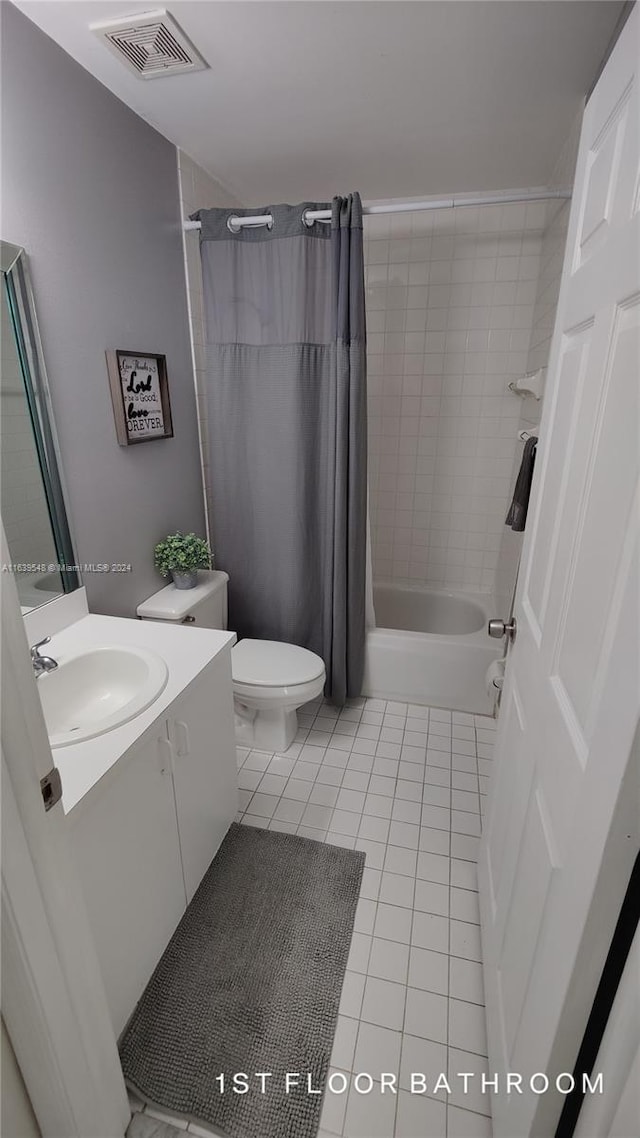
[(94, 692)]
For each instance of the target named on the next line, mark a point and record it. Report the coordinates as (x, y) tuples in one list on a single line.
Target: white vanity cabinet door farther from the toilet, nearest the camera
[(128, 855)]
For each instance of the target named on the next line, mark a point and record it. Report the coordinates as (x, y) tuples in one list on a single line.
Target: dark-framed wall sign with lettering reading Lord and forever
[(140, 389)]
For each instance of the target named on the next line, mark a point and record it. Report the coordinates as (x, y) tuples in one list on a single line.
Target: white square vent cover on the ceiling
[(151, 45)]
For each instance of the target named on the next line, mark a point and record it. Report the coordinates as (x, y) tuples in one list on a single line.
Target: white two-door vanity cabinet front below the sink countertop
[(146, 834)]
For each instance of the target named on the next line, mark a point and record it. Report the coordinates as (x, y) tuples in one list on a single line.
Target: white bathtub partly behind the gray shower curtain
[(430, 647)]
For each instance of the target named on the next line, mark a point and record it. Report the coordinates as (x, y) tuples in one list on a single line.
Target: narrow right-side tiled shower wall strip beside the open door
[(553, 252)]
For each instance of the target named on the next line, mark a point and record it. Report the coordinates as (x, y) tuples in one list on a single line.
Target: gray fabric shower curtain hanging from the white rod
[(288, 428)]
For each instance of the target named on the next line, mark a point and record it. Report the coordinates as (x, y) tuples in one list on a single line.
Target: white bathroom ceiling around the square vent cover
[(310, 100)]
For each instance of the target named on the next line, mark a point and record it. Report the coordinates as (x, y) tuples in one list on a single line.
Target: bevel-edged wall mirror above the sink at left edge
[(32, 500)]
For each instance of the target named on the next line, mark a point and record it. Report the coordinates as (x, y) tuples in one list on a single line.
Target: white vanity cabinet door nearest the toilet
[(204, 768)]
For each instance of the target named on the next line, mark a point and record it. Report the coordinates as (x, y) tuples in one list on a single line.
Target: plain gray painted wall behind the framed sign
[(91, 191)]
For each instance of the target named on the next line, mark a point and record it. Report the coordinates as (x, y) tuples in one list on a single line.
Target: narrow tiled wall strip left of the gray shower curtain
[(199, 191)]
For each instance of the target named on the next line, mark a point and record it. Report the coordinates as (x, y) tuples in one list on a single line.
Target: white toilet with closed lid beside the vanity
[(272, 679)]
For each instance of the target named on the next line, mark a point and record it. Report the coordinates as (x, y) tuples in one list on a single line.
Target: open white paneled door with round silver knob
[(571, 697)]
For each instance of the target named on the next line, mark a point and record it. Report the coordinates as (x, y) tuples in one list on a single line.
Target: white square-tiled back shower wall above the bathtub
[(450, 306)]
